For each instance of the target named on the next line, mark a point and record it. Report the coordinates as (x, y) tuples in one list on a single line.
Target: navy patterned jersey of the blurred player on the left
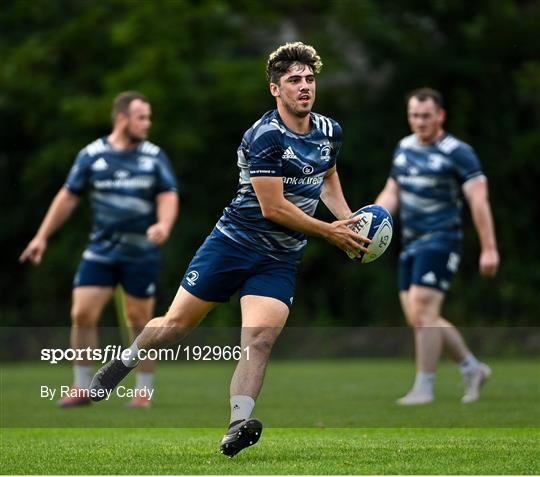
[(122, 187)]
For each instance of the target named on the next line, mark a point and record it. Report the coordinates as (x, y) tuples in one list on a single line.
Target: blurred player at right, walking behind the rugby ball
[(431, 172)]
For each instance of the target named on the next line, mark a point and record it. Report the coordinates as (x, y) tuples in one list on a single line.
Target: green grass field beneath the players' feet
[(321, 417)]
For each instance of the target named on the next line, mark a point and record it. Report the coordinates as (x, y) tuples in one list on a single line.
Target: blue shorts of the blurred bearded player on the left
[(137, 278)]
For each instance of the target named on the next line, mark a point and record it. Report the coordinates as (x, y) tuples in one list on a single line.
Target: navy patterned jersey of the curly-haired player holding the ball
[(268, 148)]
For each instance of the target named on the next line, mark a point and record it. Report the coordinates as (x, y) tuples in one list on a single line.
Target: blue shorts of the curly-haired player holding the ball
[(222, 266)]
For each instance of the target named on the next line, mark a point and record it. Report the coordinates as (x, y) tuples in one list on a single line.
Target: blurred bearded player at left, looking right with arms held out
[(134, 200)]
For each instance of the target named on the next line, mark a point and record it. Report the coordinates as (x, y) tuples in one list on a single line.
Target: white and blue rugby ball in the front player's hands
[(376, 224)]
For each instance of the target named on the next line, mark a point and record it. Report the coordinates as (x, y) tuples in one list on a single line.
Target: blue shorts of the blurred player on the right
[(429, 268)]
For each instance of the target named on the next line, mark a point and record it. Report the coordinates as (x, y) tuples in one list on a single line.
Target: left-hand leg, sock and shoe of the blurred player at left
[(87, 305)]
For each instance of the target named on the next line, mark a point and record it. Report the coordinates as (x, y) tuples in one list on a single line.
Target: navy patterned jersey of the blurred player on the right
[(430, 181)]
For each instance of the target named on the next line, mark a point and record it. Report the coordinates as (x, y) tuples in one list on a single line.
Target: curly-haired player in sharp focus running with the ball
[(287, 162)]
